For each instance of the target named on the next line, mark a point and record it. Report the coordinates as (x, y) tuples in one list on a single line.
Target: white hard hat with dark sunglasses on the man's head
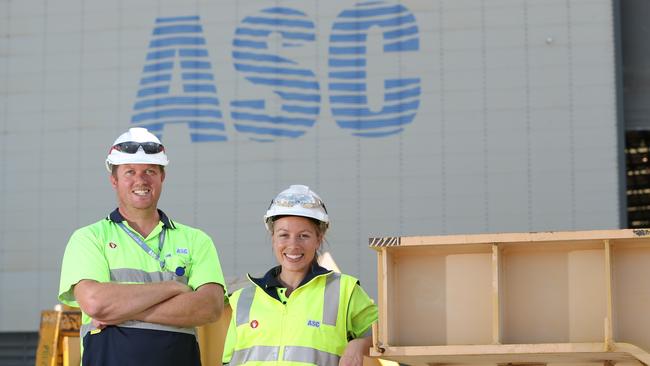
[(136, 146)]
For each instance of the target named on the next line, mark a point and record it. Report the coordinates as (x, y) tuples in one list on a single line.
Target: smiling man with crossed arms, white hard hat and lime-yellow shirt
[(142, 281)]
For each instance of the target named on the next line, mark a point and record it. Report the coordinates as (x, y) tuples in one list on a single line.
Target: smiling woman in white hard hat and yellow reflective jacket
[(299, 311)]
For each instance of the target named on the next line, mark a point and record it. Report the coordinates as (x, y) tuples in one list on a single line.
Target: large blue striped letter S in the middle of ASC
[(261, 62)]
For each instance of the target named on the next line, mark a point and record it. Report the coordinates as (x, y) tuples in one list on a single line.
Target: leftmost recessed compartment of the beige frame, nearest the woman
[(441, 297)]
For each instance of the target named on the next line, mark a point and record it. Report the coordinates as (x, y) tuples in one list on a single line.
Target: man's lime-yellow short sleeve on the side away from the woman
[(83, 260)]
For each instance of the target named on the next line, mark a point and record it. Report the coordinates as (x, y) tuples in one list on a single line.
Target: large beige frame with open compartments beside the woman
[(534, 298)]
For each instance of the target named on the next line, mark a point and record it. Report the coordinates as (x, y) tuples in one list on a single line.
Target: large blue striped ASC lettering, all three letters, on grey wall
[(178, 51)]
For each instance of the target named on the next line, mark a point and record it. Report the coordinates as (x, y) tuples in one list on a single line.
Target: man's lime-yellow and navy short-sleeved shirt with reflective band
[(104, 252)]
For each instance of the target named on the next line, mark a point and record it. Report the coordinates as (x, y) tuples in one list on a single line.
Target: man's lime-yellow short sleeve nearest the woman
[(206, 267)]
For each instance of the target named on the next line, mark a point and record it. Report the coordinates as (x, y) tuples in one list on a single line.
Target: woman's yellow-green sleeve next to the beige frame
[(362, 313)]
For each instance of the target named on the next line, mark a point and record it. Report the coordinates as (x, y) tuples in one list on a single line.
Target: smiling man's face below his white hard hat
[(138, 186)]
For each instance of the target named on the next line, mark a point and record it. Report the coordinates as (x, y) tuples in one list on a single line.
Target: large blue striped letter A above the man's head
[(179, 41)]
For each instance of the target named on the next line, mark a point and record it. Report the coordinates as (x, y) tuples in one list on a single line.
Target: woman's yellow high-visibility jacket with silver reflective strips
[(311, 326)]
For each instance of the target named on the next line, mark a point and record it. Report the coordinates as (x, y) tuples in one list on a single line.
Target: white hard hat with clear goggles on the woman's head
[(297, 200)]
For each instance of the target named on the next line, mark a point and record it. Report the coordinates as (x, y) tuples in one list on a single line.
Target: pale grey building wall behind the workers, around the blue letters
[(515, 130)]
